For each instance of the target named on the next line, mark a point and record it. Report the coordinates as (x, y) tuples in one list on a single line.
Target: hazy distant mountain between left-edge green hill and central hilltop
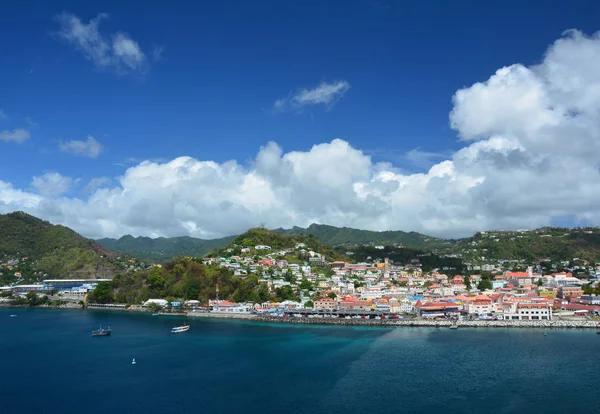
[(163, 249)]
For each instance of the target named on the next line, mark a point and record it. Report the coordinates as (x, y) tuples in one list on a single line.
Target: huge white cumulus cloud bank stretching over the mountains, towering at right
[(531, 152)]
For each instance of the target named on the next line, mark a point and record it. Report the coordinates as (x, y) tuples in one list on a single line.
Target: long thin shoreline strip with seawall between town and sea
[(387, 323)]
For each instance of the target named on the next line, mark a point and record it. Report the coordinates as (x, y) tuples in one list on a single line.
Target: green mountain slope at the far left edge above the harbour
[(54, 250)]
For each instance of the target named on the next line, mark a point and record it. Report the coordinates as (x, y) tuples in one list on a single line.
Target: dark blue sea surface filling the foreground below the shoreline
[(49, 363)]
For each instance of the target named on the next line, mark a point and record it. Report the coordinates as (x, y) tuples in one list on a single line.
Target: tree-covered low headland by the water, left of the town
[(185, 279)]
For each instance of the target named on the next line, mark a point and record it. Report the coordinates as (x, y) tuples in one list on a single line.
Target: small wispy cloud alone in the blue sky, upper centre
[(325, 94)]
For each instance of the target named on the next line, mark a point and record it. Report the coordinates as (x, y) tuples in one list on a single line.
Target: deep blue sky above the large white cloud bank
[(210, 74)]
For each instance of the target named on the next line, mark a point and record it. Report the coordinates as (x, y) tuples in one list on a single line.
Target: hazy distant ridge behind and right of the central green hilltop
[(338, 236)]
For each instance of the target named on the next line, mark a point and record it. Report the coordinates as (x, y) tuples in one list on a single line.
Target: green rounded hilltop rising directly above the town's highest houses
[(277, 241)]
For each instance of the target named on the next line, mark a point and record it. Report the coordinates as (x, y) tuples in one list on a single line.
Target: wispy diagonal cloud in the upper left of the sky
[(117, 52)]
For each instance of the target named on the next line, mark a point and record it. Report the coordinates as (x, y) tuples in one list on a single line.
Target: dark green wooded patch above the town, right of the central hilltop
[(401, 256)]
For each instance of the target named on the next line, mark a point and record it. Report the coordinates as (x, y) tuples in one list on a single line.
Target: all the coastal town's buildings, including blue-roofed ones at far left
[(378, 288)]
